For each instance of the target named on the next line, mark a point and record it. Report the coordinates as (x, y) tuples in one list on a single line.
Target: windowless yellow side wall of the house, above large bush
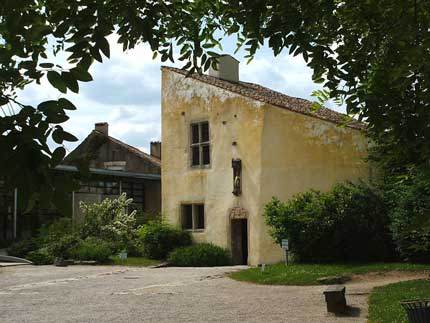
[(302, 152)]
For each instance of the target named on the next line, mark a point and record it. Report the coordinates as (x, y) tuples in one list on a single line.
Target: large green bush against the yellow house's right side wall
[(349, 223)]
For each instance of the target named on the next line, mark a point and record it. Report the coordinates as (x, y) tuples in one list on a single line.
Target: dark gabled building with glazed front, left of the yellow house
[(114, 168)]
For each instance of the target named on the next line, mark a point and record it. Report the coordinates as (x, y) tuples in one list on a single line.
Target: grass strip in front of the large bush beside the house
[(307, 274)]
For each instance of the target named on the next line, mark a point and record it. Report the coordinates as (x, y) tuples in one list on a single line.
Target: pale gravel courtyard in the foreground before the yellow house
[(130, 294)]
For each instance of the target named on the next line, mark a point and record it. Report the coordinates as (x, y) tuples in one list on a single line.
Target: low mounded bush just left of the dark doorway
[(200, 255)]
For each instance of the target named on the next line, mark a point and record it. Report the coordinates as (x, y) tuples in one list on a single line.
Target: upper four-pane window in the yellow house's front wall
[(200, 147)]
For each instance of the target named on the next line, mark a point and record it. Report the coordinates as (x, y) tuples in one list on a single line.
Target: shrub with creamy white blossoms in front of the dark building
[(110, 221)]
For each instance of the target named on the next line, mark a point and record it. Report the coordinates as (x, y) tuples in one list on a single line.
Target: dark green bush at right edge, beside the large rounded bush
[(410, 215)]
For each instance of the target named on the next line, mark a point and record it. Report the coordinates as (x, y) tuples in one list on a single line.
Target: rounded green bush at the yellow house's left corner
[(159, 238)]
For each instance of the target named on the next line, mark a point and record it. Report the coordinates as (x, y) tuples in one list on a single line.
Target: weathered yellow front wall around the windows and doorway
[(231, 118)]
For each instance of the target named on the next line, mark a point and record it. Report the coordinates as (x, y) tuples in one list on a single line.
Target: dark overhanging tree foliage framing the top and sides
[(374, 55)]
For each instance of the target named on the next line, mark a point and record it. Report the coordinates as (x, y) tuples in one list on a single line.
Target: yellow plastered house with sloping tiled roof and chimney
[(230, 146)]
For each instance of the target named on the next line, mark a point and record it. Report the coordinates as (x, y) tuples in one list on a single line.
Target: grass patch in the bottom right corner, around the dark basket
[(384, 306)]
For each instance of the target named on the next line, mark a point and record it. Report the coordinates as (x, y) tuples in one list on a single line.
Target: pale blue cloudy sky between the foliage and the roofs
[(126, 90)]
